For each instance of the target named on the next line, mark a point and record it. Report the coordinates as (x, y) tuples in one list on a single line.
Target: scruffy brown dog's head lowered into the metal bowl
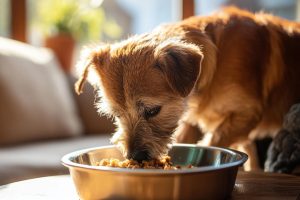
[(143, 83)]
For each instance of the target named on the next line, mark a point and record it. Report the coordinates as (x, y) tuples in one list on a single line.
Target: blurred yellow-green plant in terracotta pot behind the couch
[(67, 22)]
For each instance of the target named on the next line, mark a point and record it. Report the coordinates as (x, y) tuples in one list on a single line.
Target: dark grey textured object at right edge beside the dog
[(284, 152)]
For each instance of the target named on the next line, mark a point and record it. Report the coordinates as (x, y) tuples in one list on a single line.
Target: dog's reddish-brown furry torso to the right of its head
[(257, 68)]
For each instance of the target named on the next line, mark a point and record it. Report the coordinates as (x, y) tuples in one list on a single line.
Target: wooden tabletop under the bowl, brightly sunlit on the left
[(248, 186)]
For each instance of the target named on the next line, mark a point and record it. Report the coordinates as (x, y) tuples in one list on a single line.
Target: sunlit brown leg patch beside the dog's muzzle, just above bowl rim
[(187, 133)]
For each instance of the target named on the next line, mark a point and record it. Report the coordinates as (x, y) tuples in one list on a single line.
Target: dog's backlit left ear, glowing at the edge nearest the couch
[(90, 59)]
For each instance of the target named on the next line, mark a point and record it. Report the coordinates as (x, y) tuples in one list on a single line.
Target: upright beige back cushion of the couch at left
[(36, 102)]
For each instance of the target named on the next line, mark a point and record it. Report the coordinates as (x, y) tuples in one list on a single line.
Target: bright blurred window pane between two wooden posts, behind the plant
[(123, 17)]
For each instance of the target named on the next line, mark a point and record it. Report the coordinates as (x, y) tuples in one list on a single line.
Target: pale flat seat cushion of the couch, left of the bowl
[(43, 158)]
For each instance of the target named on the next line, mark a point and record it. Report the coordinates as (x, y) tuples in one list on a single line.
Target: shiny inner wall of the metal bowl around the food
[(182, 155)]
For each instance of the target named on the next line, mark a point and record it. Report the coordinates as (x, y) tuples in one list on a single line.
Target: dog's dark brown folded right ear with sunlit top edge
[(180, 62)]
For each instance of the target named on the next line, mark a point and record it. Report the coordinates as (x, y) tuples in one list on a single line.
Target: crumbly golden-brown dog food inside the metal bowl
[(164, 163)]
